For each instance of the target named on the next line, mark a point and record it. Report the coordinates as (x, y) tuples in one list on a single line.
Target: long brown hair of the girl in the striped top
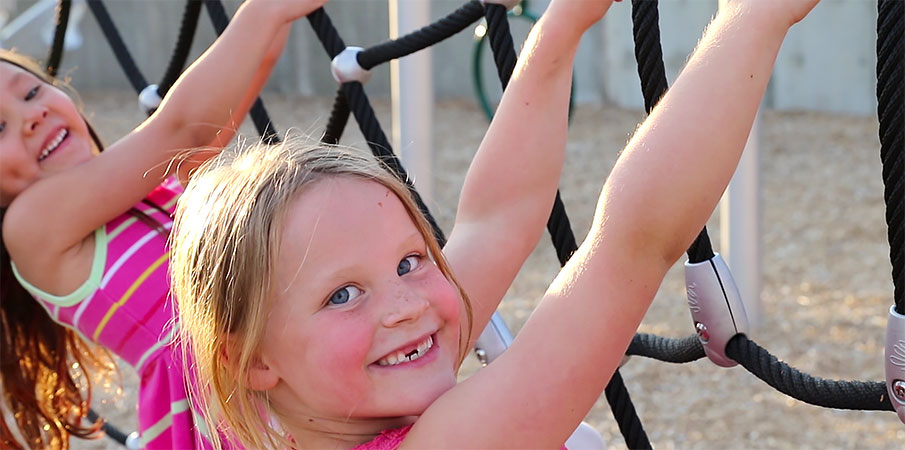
[(45, 367)]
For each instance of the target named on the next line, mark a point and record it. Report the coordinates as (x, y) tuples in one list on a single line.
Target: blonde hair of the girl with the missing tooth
[(225, 240)]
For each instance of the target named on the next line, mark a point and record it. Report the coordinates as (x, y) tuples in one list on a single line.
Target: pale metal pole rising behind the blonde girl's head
[(412, 91)]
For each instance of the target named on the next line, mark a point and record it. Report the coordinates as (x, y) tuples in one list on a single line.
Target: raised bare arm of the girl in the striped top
[(60, 210)]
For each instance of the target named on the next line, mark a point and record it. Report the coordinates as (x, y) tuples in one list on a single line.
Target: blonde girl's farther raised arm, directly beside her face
[(511, 184)]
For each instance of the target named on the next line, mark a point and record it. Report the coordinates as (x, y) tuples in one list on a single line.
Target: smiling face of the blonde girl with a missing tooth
[(363, 324)]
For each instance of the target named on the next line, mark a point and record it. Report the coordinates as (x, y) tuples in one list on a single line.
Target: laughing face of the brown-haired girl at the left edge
[(41, 131)]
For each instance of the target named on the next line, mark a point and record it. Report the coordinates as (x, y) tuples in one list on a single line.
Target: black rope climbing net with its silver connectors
[(721, 340)]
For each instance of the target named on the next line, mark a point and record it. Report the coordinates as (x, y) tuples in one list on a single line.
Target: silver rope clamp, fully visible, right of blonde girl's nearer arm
[(716, 307)]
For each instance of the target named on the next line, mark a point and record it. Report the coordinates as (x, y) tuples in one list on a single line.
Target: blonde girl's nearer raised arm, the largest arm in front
[(676, 166)]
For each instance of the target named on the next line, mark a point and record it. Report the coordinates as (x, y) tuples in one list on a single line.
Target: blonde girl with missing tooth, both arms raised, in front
[(321, 310)]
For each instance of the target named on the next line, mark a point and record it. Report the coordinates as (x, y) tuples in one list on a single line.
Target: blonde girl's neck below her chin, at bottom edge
[(310, 433)]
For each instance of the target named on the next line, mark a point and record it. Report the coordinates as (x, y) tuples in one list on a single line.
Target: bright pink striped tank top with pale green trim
[(125, 306)]
